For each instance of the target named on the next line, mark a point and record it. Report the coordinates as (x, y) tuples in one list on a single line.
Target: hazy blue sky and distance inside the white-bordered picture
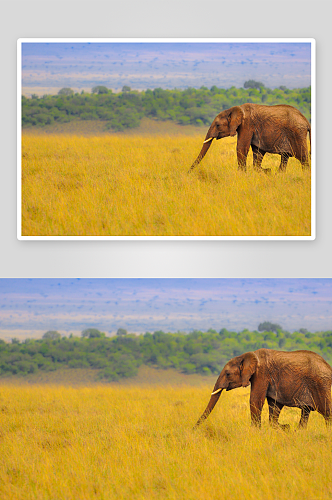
[(47, 67)]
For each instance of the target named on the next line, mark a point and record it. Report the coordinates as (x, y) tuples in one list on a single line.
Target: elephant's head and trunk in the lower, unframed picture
[(236, 373)]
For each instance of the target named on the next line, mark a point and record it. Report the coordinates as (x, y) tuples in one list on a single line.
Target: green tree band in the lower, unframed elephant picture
[(121, 356)]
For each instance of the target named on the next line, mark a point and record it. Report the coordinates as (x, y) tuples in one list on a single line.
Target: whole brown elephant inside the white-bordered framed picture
[(279, 129)]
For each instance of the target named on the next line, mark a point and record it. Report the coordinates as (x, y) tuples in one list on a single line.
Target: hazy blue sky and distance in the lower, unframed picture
[(30, 307)]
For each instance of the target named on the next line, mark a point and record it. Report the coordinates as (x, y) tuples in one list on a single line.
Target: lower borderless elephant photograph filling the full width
[(165, 387)]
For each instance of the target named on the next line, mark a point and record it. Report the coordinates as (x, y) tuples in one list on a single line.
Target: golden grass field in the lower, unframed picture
[(138, 443)]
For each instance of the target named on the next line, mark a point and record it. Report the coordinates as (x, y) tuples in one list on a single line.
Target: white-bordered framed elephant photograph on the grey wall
[(166, 139)]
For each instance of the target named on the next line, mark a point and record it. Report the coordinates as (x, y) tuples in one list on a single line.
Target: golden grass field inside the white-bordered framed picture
[(139, 186)]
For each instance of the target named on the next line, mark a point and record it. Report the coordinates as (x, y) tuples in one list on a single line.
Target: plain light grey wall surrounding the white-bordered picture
[(178, 19)]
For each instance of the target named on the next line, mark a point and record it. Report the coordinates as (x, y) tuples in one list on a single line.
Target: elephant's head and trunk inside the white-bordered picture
[(224, 125)]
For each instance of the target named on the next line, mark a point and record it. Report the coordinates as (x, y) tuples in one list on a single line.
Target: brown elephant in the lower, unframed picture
[(299, 379)]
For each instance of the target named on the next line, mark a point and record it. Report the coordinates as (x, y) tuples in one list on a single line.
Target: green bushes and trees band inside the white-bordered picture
[(125, 109)]
